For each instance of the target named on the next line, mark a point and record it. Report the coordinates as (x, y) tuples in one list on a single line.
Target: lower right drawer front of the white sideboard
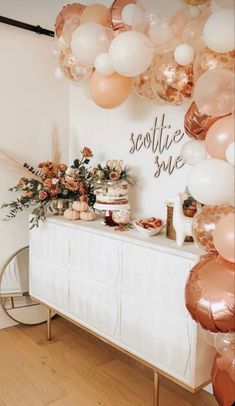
[(156, 335)]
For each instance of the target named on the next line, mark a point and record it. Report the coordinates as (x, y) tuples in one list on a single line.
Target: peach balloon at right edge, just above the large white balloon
[(219, 136)]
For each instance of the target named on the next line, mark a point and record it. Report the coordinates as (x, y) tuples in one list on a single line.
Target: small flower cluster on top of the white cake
[(113, 171)]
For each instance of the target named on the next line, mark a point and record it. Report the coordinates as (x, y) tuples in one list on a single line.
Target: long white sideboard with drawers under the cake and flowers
[(127, 289)]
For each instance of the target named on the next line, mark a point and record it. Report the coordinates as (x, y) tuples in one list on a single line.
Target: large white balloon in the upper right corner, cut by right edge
[(219, 31)]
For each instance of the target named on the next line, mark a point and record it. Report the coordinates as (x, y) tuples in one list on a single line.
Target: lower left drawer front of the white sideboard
[(49, 282)]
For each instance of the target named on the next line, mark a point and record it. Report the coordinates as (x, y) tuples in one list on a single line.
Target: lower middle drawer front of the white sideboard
[(94, 303)]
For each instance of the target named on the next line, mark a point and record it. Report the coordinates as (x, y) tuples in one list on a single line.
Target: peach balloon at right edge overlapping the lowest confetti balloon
[(224, 237)]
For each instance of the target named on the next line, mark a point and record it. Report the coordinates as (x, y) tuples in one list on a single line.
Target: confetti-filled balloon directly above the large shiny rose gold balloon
[(204, 224)]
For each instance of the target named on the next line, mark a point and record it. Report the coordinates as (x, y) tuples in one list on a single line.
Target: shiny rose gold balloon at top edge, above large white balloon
[(115, 15)]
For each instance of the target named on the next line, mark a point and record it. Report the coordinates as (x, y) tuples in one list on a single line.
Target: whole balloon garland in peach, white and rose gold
[(186, 57)]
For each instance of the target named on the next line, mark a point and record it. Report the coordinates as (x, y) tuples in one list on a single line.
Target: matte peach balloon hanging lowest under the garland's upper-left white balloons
[(110, 91)]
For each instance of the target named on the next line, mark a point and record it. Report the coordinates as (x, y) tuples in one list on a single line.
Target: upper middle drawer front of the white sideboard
[(95, 256)]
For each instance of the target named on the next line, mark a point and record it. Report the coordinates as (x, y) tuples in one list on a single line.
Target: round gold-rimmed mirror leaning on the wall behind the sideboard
[(14, 291)]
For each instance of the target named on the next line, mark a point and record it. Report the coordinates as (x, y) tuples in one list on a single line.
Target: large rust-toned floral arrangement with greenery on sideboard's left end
[(51, 181)]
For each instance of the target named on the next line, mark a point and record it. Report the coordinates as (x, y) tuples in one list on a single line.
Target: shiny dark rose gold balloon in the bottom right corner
[(223, 380)]
